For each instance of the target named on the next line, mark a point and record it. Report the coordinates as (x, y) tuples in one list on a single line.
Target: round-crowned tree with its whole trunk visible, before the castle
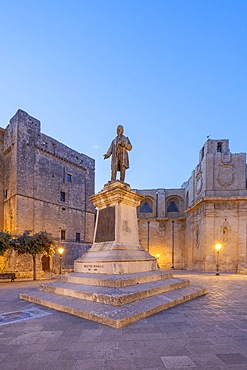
[(39, 243)]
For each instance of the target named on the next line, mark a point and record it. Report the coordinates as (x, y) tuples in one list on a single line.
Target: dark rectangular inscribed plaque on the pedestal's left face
[(106, 225)]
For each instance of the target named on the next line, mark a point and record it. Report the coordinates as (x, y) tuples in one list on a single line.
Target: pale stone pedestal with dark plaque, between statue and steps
[(116, 248)]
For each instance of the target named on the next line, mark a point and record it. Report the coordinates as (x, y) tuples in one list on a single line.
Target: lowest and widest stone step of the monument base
[(115, 316)]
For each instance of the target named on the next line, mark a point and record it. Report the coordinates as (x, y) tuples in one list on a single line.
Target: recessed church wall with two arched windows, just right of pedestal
[(156, 226)]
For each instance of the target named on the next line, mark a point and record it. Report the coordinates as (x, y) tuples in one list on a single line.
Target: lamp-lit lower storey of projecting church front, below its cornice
[(219, 220)]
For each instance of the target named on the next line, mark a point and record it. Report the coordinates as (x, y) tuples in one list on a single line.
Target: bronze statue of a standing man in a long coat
[(119, 152)]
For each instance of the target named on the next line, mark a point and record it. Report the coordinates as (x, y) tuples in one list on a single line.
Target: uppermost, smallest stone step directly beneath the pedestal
[(115, 281)]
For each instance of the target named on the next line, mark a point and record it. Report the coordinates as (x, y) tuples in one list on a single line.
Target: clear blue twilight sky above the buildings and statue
[(171, 71)]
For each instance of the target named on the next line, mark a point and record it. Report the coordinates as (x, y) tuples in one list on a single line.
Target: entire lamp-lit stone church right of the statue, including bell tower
[(210, 207)]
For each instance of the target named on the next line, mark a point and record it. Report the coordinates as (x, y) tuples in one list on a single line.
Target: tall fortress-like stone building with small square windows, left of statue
[(44, 186)]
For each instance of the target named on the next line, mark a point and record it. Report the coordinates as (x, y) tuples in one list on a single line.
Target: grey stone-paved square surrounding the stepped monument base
[(209, 332)]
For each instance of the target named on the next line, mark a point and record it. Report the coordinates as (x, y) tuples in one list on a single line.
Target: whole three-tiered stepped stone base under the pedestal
[(115, 300)]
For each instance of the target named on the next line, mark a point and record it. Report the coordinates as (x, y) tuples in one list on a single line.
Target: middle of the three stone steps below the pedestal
[(114, 296)]
